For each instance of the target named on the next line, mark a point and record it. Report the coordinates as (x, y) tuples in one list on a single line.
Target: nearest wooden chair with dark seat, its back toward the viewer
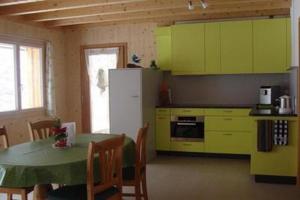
[(110, 161)]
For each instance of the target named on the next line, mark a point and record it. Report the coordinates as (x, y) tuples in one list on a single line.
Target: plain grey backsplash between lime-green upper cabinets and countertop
[(222, 89)]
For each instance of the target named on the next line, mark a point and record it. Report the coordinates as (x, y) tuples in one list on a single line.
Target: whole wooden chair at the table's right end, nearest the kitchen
[(136, 176)]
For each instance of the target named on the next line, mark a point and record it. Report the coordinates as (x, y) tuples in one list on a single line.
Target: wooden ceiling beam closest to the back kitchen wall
[(160, 14)]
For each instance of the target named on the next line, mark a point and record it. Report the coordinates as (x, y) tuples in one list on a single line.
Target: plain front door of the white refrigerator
[(125, 101)]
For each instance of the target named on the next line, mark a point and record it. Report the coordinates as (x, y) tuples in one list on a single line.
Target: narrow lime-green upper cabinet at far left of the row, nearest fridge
[(163, 47)]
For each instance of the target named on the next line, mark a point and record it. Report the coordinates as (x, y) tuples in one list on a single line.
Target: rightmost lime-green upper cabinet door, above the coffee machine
[(270, 45)]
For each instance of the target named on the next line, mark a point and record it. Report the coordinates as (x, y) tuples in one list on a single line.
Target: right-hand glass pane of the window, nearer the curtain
[(31, 77)]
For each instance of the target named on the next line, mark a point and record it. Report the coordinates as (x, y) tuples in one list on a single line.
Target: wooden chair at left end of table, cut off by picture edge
[(10, 191)]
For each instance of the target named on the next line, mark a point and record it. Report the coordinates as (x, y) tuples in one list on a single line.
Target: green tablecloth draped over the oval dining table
[(37, 162)]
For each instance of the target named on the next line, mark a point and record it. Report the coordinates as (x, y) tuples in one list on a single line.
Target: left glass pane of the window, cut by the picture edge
[(7, 78)]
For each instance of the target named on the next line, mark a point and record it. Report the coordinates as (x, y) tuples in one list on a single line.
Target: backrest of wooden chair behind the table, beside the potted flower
[(41, 129)]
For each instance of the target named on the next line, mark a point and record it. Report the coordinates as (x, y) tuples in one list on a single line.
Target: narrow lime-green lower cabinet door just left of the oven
[(163, 132)]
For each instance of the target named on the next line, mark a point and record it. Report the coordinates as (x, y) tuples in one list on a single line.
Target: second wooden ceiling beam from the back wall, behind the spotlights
[(144, 6)]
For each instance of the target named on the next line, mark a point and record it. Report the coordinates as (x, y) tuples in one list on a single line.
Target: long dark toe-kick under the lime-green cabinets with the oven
[(208, 155)]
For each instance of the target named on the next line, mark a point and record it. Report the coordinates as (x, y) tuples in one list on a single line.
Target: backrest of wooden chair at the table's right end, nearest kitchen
[(141, 149)]
